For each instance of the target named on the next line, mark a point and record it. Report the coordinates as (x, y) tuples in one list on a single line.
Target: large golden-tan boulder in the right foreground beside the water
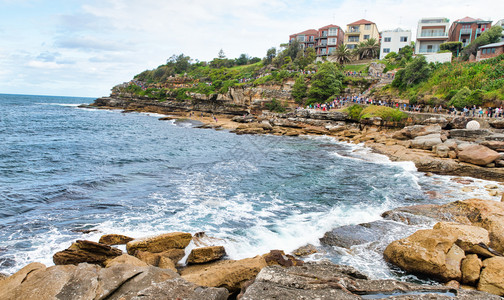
[(433, 252)]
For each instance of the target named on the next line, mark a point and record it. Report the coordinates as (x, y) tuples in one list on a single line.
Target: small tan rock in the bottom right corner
[(492, 276)]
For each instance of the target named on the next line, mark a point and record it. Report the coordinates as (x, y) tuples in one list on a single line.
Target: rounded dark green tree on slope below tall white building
[(415, 72)]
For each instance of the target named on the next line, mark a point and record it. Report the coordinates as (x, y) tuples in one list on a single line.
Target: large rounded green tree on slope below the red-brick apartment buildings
[(325, 83)]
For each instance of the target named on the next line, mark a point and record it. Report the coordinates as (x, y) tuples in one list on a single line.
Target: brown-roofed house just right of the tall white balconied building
[(467, 30)]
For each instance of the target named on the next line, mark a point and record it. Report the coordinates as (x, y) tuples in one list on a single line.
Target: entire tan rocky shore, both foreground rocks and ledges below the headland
[(462, 251)]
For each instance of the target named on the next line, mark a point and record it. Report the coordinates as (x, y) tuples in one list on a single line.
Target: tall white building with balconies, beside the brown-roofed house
[(431, 32)]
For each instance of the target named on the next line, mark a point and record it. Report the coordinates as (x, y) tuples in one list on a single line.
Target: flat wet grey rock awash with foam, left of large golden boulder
[(350, 235)]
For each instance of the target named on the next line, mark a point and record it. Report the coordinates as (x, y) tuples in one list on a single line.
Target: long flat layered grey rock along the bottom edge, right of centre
[(323, 280)]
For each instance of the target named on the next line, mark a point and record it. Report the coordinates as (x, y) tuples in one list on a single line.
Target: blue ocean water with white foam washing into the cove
[(65, 169)]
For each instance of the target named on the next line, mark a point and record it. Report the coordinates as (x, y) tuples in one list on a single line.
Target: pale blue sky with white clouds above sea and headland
[(84, 48)]
